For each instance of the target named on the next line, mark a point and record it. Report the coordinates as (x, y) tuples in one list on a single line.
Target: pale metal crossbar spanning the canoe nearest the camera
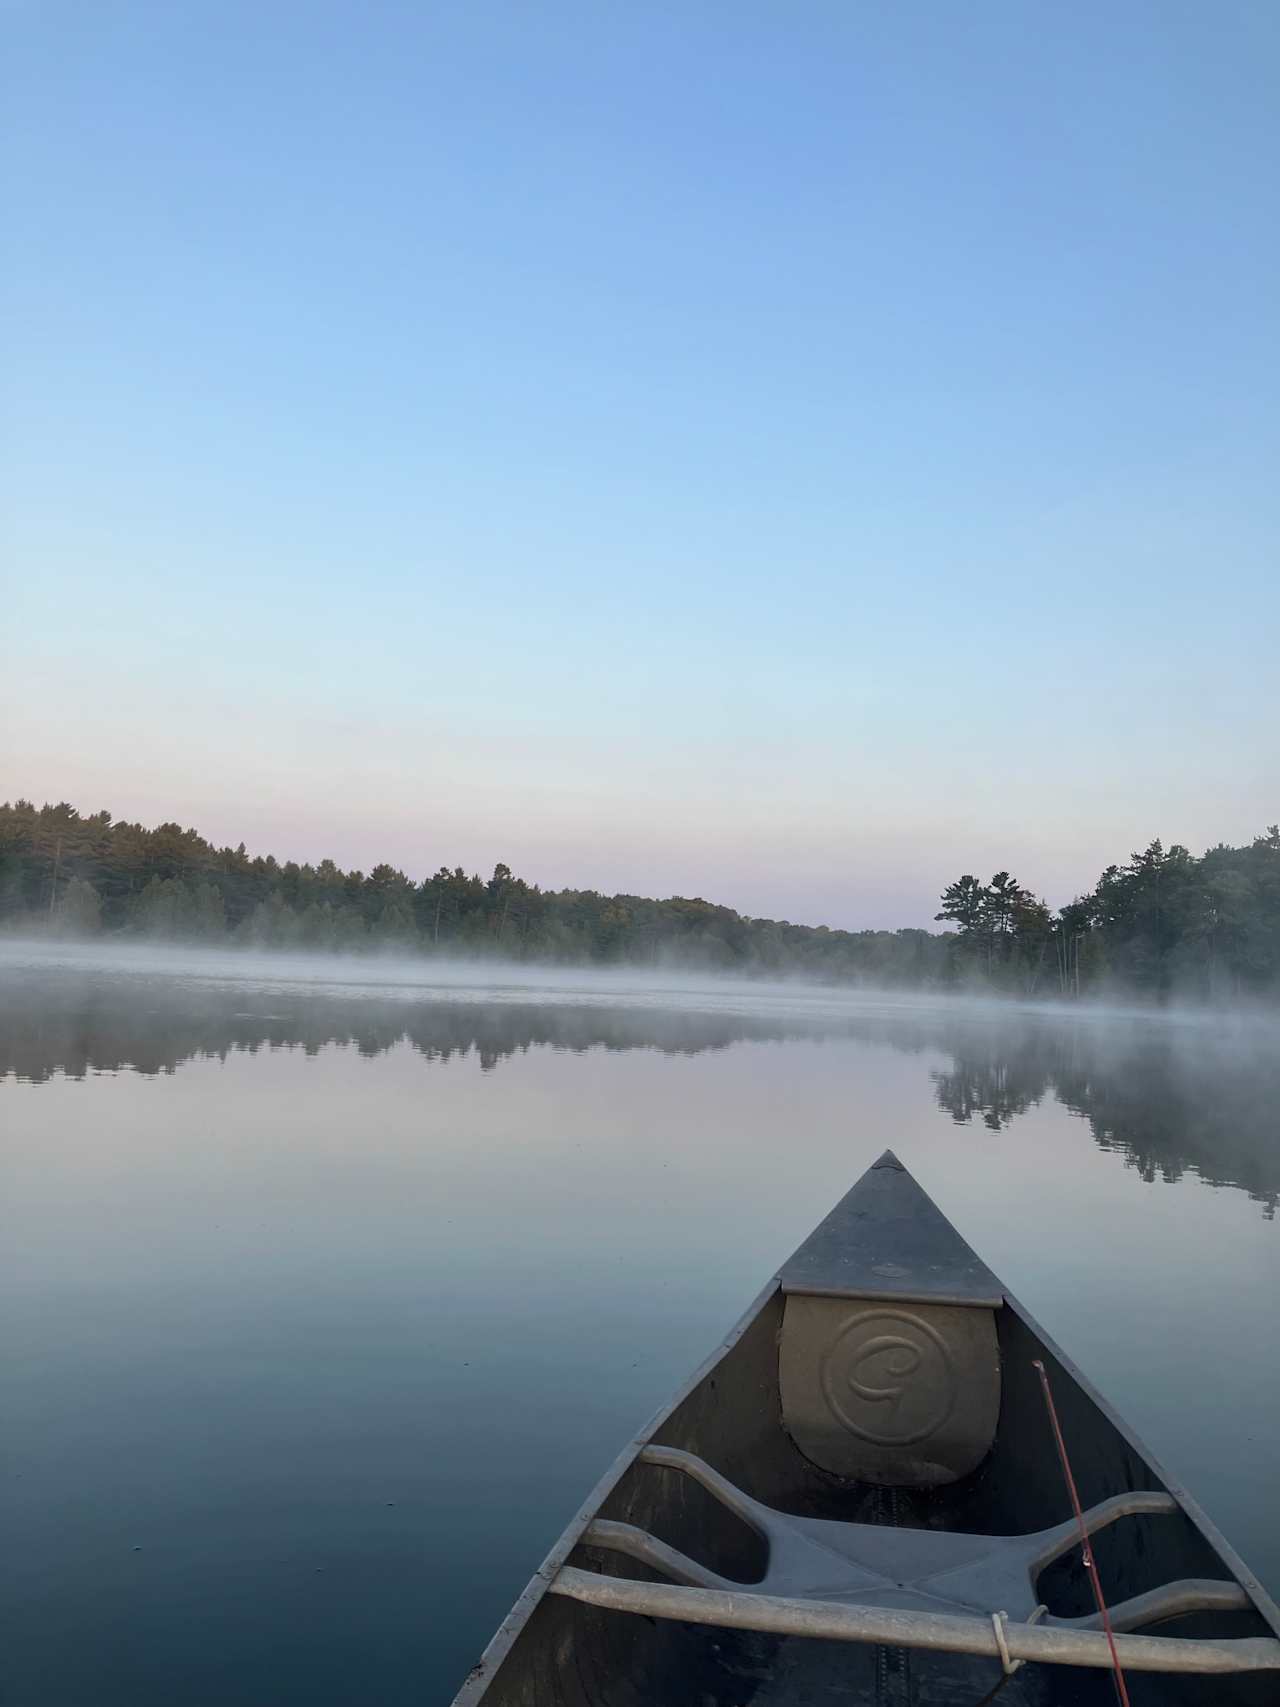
[(835, 1621)]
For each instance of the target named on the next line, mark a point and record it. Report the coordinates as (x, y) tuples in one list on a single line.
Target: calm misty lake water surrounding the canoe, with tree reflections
[(329, 1298)]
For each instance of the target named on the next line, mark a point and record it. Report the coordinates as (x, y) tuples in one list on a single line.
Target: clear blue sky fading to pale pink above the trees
[(786, 455)]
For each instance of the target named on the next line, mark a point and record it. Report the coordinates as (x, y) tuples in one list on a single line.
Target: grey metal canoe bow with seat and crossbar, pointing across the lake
[(861, 1500)]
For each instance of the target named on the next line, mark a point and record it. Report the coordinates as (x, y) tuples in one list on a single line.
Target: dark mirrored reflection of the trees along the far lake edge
[(1168, 1095)]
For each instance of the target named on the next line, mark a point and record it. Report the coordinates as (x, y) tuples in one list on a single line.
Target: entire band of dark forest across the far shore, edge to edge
[(1167, 923)]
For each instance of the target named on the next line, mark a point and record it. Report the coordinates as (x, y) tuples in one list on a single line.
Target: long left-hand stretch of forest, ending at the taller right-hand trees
[(78, 875)]
